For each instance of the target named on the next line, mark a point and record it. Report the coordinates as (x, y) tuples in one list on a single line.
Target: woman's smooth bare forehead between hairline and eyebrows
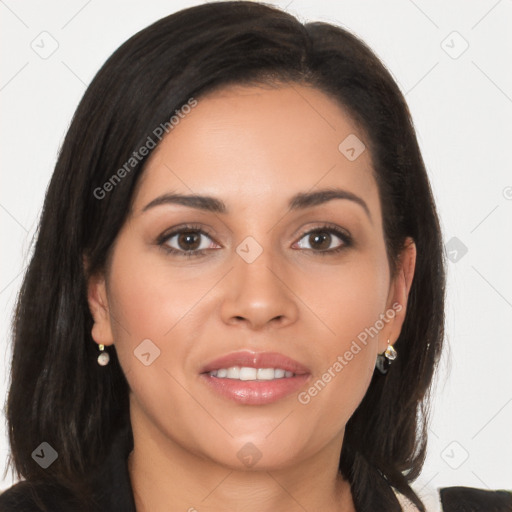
[(249, 143)]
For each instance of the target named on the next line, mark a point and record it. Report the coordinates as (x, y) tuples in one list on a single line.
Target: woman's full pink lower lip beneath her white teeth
[(254, 392)]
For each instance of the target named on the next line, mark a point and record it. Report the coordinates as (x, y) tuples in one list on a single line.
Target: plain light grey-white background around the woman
[(462, 106)]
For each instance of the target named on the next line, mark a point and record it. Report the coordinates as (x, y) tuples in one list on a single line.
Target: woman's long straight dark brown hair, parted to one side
[(58, 393)]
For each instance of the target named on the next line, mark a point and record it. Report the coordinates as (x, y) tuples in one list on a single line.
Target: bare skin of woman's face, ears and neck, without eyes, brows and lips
[(253, 148)]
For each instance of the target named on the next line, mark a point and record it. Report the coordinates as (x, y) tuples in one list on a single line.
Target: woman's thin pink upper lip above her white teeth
[(256, 360)]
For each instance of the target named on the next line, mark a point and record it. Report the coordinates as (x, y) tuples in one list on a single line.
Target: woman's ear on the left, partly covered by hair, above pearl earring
[(98, 305)]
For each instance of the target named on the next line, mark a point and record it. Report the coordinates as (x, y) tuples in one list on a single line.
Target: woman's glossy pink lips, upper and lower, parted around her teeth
[(255, 392)]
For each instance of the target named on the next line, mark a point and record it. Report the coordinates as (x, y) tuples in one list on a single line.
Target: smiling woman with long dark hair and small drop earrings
[(236, 296)]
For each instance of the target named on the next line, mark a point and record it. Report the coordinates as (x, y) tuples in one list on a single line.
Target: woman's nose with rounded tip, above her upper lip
[(259, 294)]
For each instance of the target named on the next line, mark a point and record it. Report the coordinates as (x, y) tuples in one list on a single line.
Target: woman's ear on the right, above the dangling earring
[(399, 293)]
